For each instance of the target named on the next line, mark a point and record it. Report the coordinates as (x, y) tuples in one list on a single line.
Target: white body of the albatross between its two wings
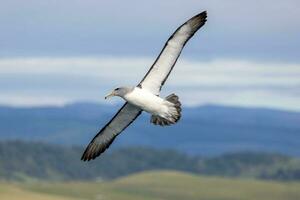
[(148, 102)]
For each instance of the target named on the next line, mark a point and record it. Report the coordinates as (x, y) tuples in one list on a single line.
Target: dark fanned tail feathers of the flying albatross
[(173, 115)]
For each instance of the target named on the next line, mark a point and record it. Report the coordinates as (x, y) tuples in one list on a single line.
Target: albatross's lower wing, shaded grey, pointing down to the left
[(124, 117)]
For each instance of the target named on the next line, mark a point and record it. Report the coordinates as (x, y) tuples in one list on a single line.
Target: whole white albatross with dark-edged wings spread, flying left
[(145, 96)]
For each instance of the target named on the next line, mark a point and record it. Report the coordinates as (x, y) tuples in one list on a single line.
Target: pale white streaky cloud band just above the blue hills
[(56, 81)]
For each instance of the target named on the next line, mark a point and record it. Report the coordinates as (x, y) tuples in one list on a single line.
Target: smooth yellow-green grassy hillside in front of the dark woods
[(167, 185)]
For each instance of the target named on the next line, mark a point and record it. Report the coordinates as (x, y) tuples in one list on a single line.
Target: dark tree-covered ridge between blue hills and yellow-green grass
[(31, 160)]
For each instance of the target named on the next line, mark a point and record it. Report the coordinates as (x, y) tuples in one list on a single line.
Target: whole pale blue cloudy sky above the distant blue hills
[(57, 52)]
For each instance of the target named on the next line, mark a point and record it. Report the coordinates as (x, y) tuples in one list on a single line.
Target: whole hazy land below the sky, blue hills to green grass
[(257, 158)]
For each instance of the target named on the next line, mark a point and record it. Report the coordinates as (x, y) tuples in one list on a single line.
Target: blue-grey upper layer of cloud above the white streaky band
[(264, 30)]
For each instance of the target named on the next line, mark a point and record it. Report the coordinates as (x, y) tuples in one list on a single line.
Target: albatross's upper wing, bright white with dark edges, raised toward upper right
[(163, 65)]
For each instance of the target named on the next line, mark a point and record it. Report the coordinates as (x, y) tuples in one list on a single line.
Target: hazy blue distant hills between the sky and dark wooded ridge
[(207, 130)]
